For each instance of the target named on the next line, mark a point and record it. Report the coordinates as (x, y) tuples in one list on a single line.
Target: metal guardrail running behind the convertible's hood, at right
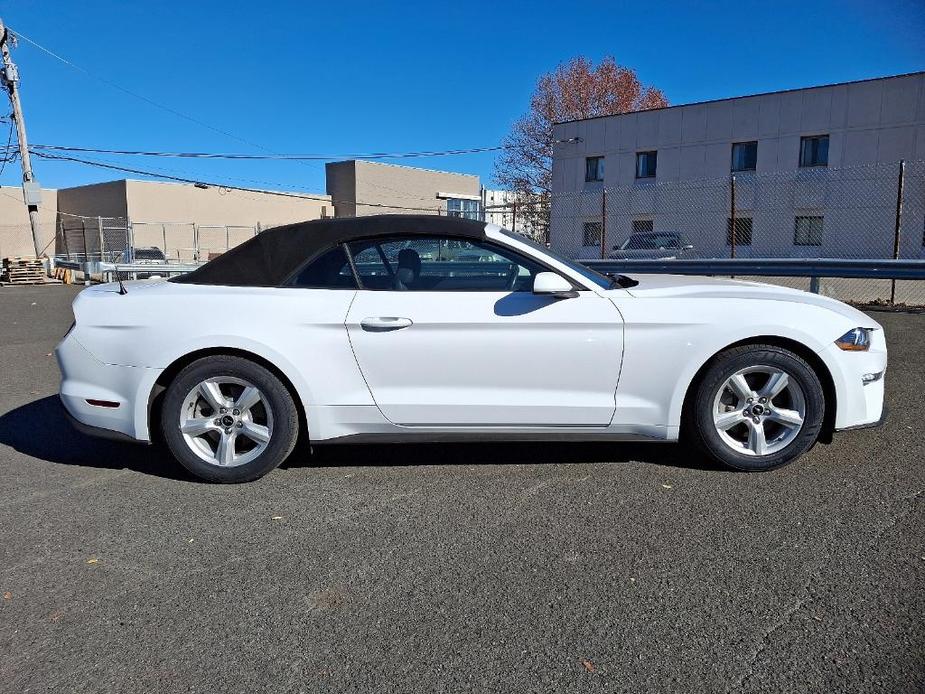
[(770, 267)]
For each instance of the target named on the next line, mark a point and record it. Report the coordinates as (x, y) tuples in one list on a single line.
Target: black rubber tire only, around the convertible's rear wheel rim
[(285, 418)]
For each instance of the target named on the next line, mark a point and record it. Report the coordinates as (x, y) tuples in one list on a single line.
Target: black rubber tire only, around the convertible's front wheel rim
[(699, 426)]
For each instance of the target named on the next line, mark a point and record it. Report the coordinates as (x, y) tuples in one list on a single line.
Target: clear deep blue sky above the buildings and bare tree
[(340, 77)]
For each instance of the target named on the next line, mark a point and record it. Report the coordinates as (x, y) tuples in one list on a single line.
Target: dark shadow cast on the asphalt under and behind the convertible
[(40, 429)]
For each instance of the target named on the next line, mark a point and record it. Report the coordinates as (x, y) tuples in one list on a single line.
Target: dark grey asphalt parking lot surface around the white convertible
[(453, 568)]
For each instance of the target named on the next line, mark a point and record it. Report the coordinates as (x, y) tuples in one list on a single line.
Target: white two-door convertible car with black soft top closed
[(420, 328)]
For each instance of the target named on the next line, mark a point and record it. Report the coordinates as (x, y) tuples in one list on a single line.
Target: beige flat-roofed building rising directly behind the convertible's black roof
[(360, 188)]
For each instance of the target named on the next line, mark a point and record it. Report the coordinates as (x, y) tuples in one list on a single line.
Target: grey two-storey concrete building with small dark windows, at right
[(816, 172)]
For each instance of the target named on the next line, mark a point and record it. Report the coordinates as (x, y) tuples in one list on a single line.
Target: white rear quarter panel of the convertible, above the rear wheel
[(300, 331)]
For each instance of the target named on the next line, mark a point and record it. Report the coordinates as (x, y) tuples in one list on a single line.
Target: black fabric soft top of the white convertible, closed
[(269, 258)]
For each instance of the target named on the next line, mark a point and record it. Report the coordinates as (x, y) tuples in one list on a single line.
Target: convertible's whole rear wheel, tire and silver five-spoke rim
[(227, 419)]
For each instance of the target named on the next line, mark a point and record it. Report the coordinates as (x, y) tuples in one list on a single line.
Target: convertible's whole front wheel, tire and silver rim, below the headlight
[(756, 408)]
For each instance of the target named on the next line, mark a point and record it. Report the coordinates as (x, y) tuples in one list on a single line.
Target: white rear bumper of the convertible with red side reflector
[(85, 380)]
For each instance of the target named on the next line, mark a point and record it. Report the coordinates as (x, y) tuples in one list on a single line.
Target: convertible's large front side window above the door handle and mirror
[(434, 264)]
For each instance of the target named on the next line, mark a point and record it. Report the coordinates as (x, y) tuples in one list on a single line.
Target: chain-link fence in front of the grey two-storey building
[(863, 212)]
